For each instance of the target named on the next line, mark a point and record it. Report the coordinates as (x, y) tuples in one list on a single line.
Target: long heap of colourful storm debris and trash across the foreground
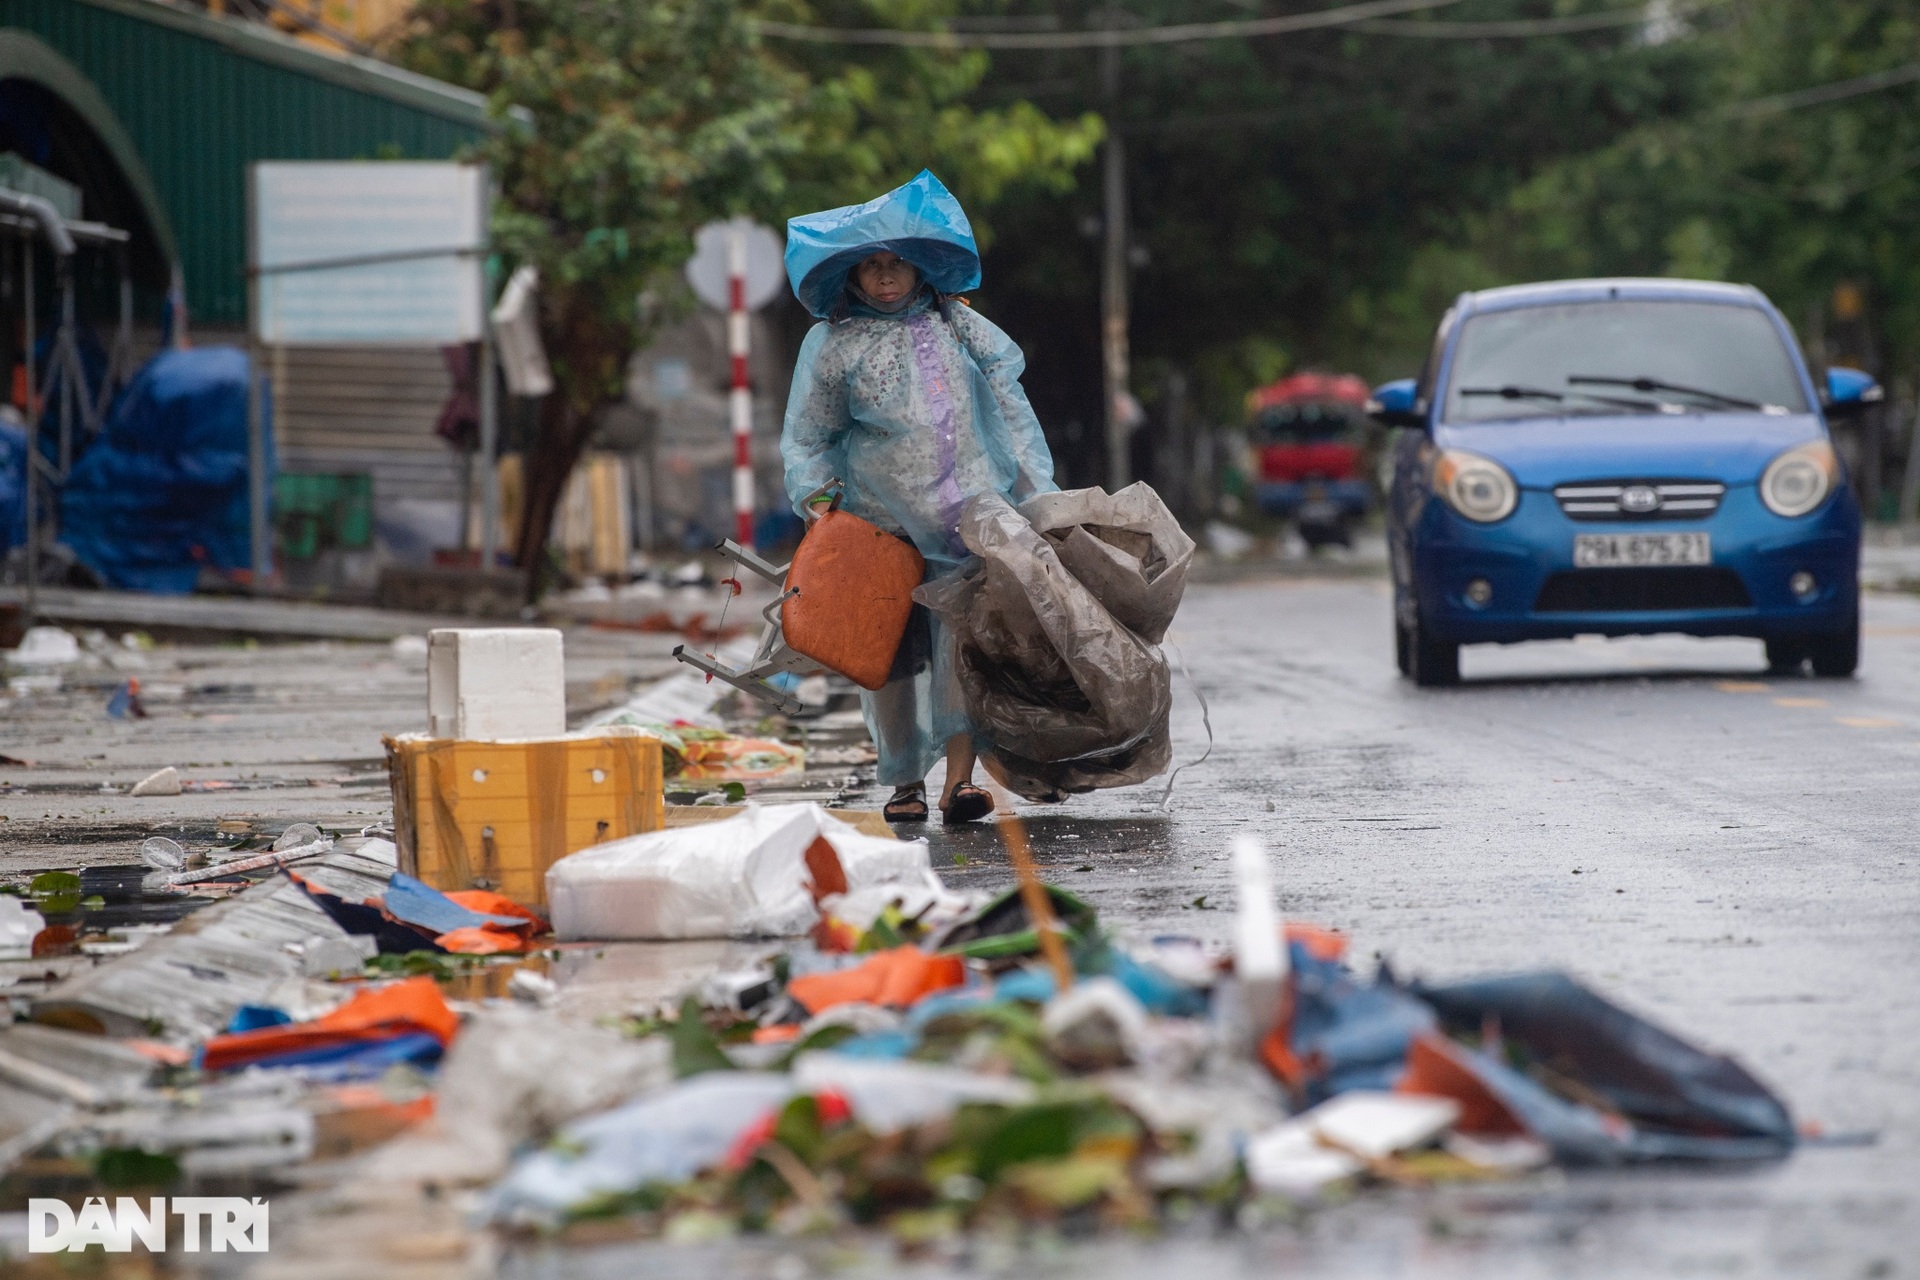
[(890, 1055)]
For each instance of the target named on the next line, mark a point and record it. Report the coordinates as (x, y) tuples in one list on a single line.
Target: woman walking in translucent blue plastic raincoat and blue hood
[(915, 404)]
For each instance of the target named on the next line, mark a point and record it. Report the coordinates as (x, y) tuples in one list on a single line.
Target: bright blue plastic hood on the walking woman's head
[(921, 222)]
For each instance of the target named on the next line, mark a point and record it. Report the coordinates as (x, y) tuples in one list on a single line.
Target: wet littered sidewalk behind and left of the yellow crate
[(262, 734)]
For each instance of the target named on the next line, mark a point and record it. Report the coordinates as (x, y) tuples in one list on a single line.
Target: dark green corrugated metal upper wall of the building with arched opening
[(185, 103)]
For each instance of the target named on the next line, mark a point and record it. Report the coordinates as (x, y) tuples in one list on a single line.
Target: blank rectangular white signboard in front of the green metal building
[(368, 252)]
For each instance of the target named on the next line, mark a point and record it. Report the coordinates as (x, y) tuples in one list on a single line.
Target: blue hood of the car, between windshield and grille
[(1731, 448)]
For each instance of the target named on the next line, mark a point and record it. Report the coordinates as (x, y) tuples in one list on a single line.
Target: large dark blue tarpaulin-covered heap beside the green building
[(164, 490)]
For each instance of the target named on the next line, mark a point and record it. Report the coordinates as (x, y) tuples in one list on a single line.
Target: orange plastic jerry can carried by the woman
[(852, 594)]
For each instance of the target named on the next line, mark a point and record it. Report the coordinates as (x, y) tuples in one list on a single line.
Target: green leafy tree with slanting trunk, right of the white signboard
[(656, 116)]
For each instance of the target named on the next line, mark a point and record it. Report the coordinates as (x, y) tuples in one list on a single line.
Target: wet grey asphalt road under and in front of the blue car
[(1729, 855)]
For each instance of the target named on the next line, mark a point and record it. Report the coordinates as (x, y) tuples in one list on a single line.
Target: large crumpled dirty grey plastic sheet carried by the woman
[(1055, 630)]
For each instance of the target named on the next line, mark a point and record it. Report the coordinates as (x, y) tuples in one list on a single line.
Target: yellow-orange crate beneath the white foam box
[(498, 815)]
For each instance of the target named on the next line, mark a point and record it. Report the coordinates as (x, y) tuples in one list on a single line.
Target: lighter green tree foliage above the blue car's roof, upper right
[(1764, 183)]
